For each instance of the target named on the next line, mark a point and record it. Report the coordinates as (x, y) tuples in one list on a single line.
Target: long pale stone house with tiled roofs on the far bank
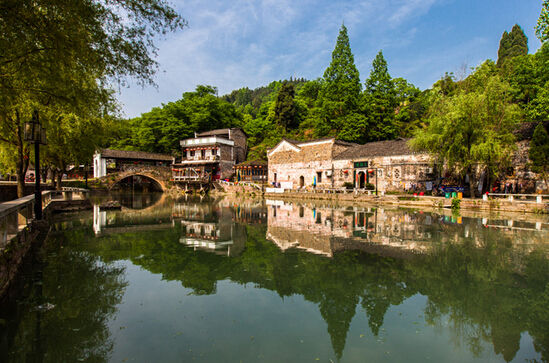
[(331, 163)]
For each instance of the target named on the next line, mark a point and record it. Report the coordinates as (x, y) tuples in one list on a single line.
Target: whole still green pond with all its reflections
[(271, 281)]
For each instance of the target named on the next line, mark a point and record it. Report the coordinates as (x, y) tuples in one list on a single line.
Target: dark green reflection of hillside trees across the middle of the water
[(487, 288)]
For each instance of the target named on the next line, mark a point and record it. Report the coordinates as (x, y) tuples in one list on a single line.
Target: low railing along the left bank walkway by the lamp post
[(16, 215)]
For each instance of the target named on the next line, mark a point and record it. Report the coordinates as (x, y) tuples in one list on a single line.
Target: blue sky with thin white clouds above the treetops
[(232, 44)]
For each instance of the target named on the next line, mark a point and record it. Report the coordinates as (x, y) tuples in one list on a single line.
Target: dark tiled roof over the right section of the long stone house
[(377, 148)]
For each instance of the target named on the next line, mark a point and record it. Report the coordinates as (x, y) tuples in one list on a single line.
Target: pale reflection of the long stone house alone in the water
[(325, 230)]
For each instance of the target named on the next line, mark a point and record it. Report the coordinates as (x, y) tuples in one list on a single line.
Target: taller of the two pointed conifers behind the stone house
[(340, 94)]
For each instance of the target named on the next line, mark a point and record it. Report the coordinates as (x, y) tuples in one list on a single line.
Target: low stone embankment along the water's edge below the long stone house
[(526, 205)]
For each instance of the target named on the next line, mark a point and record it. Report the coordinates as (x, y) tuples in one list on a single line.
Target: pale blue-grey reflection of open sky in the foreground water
[(162, 321)]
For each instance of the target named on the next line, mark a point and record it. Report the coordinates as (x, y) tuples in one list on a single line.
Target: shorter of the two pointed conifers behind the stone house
[(380, 101)]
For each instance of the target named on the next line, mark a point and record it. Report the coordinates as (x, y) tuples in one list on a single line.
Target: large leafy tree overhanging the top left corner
[(51, 49)]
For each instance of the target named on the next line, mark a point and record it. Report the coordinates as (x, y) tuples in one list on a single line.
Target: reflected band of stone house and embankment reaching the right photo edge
[(390, 232)]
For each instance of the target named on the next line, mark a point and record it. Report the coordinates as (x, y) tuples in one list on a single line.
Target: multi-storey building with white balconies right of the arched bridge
[(211, 155)]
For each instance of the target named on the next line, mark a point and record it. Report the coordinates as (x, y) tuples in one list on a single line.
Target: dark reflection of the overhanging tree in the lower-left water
[(83, 294)]
